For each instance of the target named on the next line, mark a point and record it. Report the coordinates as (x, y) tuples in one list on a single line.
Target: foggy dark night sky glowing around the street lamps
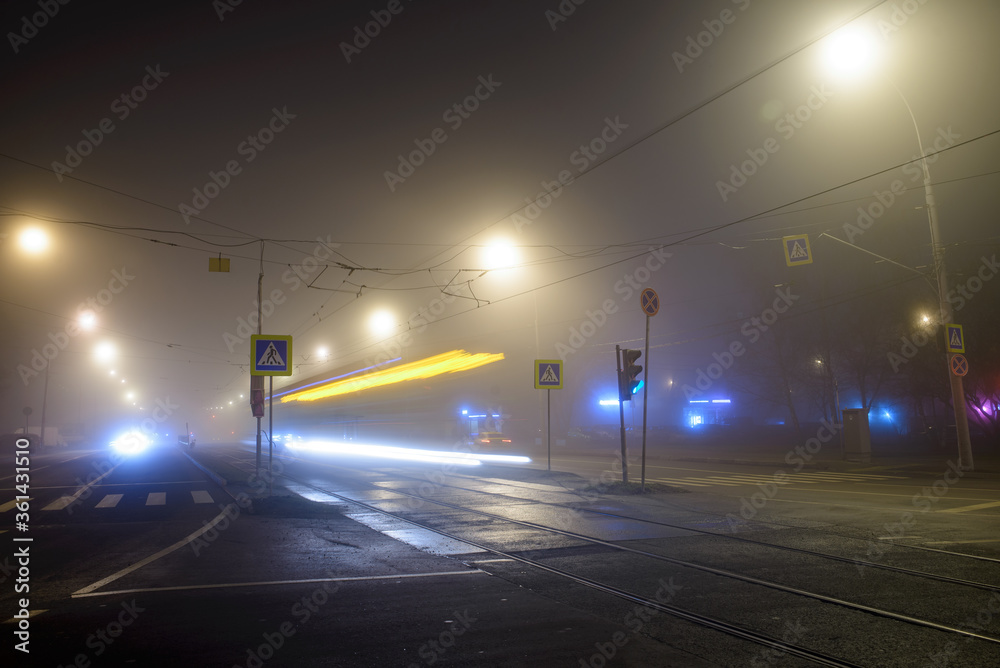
[(555, 86)]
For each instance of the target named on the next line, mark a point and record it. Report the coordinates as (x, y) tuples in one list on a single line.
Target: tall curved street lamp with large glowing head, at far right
[(847, 52)]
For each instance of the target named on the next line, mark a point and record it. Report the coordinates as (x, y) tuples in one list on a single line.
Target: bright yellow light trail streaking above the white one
[(450, 362)]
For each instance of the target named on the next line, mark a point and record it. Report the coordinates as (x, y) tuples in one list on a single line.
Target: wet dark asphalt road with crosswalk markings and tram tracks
[(157, 564)]
